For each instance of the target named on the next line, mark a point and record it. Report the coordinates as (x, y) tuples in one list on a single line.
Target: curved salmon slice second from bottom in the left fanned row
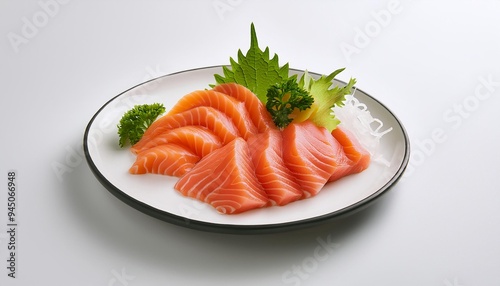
[(199, 140)]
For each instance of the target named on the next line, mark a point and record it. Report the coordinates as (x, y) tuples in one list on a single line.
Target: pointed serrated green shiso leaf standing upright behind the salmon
[(255, 70)]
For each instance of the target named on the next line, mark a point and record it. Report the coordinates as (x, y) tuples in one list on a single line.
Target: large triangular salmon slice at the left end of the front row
[(226, 180)]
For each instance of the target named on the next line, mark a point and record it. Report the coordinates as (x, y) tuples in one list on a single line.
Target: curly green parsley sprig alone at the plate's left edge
[(134, 122)]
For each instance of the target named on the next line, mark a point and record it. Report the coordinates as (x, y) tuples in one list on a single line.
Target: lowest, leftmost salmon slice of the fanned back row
[(167, 159)]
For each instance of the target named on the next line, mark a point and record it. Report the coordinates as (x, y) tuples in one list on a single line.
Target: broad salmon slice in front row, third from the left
[(312, 155)]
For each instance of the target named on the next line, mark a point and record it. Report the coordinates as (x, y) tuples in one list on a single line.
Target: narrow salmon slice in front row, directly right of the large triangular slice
[(267, 156)]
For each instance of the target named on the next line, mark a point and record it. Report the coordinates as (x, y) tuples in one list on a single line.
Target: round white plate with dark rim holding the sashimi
[(155, 195)]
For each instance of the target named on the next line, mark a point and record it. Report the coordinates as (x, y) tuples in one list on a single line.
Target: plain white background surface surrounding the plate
[(428, 61)]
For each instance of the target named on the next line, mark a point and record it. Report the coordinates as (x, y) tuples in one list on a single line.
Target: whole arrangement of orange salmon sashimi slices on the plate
[(227, 151)]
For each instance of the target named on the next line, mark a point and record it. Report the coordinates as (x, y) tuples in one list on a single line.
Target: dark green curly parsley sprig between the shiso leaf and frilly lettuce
[(284, 98)]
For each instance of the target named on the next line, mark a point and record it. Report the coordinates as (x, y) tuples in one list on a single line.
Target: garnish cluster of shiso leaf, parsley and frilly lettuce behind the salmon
[(259, 73)]
